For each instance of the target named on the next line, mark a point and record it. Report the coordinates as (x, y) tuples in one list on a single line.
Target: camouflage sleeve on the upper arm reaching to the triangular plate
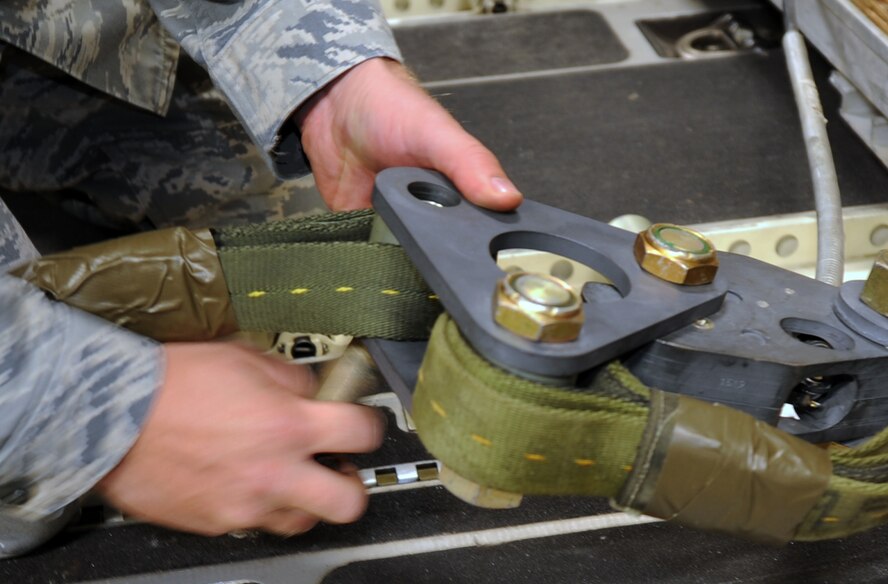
[(268, 56)]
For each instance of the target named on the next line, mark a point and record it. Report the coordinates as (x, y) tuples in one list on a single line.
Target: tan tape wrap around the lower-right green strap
[(715, 468)]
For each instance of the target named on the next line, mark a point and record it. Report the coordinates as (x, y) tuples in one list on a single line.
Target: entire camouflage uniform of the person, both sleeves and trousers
[(74, 390)]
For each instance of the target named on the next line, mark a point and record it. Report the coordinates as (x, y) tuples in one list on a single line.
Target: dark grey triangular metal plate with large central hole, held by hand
[(454, 248)]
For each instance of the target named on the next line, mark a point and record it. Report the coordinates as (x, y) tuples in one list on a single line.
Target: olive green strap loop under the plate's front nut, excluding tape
[(512, 434)]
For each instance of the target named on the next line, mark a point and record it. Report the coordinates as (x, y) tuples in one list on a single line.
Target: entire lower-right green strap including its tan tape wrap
[(701, 464)]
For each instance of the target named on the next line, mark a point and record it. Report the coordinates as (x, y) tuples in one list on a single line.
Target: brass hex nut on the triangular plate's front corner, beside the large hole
[(538, 307)]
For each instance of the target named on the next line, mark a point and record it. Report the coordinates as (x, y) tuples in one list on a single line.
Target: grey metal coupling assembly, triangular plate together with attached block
[(757, 338)]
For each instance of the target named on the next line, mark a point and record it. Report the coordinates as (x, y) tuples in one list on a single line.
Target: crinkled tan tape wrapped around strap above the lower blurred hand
[(166, 284)]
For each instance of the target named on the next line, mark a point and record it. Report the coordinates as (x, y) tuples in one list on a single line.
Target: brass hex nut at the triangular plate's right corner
[(676, 254)]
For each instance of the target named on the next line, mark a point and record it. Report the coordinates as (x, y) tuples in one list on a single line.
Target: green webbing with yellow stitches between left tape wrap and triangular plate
[(320, 274)]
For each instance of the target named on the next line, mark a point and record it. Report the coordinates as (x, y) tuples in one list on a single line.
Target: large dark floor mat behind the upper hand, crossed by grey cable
[(684, 142)]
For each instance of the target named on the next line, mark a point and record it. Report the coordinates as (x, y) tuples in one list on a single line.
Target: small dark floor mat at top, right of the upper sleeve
[(508, 43)]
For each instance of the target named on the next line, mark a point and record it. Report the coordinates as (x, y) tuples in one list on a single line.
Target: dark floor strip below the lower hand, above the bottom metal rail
[(126, 550)]
